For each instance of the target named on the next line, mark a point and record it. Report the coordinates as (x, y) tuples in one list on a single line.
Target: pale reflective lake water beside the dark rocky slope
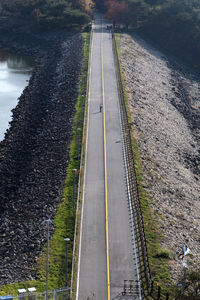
[(15, 72)]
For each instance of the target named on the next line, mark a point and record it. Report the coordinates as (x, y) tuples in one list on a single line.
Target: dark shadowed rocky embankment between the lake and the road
[(34, 153)]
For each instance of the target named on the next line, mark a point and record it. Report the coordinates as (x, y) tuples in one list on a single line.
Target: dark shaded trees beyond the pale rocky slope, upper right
[(172, 24)]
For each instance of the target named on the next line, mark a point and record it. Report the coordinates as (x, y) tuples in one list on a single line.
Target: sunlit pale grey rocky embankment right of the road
[(165, 103)]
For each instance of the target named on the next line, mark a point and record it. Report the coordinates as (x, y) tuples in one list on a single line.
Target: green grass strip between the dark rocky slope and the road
[(64, 220)]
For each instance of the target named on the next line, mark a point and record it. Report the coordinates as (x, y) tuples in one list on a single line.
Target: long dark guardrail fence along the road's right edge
[(149, 289)]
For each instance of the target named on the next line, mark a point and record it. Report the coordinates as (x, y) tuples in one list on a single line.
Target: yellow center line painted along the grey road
[(105, 168)]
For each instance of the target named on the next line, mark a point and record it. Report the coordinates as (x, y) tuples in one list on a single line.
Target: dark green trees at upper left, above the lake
[(47, 14)]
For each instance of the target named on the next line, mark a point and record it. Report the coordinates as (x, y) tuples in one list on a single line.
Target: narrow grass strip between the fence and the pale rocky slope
[(158, 257)]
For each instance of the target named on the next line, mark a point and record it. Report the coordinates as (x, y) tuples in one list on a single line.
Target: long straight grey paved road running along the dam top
[(106, 252)]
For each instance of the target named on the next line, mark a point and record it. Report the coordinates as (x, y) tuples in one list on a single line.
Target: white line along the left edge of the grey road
[(83, 200)]
